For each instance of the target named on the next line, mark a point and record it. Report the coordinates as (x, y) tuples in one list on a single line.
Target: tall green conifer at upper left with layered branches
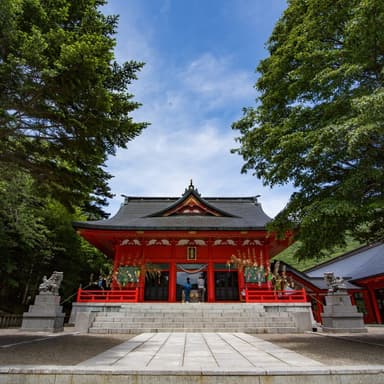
[(64, 105)]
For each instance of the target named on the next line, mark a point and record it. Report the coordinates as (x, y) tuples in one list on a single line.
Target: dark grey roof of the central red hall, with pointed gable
[(190, 212)]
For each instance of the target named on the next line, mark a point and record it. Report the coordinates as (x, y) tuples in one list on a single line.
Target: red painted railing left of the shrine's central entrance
[(128, 295)]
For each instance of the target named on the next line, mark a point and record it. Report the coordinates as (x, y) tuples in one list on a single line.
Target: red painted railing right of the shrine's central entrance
[(254, 295)]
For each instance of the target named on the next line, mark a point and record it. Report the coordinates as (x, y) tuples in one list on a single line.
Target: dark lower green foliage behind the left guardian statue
[(37, 238)]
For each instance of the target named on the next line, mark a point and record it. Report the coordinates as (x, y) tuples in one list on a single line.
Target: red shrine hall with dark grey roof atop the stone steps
[(156, 243)]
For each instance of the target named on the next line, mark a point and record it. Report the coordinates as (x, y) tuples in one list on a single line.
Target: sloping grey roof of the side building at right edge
[(367, 261)]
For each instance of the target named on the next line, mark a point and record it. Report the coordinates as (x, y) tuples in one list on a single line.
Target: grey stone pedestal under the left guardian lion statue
[(45, 315)]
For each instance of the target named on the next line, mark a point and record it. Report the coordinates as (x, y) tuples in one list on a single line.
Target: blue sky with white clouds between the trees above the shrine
[(200, 60)]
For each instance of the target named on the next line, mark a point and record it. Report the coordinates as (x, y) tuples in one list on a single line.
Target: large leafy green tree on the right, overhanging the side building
[(319, 121)]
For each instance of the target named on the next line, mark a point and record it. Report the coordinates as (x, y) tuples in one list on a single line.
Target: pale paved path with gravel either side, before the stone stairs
[(70, 348)]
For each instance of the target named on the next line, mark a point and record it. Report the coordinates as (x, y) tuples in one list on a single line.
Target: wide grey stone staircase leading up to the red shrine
[(199, 317)]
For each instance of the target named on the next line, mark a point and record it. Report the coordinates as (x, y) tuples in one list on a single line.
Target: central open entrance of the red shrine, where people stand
[(193, 272)]
